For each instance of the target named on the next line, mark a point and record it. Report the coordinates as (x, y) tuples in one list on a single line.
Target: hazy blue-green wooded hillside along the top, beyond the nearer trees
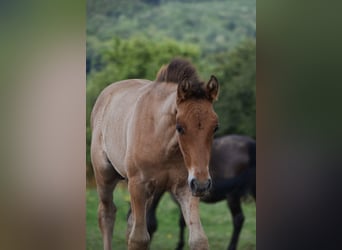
[(213, 25)]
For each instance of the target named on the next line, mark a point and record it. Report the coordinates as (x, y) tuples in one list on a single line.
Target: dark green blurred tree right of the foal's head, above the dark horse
[(236, 106)]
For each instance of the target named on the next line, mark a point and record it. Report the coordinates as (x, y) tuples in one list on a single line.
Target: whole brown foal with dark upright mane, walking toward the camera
[(156, 135)]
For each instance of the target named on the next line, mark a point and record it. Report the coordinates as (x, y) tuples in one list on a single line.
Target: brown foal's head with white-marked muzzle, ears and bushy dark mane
[(196, 121)]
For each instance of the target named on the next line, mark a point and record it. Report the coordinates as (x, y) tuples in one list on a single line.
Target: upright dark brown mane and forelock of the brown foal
[(180, 70)]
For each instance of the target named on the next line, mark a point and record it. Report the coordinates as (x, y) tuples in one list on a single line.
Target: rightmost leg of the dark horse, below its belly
[(234, 204)]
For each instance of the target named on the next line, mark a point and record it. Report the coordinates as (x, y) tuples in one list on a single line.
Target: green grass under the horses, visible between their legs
[(215, 218)]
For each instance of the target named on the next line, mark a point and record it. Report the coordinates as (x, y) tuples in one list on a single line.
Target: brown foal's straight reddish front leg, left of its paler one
[(138, 237)]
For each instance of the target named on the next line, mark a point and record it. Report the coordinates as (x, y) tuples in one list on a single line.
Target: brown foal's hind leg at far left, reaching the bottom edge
[(106, 180)]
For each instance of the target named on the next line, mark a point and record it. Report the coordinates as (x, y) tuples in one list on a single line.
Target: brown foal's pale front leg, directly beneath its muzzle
[(190, 209)]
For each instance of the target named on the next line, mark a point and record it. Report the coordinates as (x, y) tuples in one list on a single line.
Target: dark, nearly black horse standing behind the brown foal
[(233, 172)]
